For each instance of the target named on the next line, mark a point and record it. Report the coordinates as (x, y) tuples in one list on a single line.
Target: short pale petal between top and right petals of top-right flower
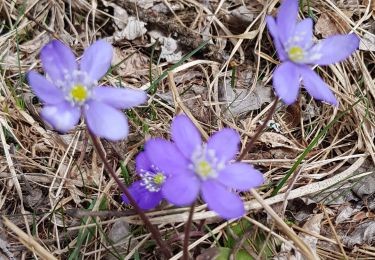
[(303, 34)]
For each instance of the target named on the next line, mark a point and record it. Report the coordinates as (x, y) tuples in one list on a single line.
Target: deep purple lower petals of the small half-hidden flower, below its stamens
[(144, 198)]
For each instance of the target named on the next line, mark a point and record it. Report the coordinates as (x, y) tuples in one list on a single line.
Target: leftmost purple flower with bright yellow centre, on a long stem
[(71, 90)]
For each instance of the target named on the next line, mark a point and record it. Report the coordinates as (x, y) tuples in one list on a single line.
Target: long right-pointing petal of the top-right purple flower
[(333, 49)]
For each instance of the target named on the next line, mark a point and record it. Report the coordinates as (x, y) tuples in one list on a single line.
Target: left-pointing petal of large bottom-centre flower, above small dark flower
[(165, 155)]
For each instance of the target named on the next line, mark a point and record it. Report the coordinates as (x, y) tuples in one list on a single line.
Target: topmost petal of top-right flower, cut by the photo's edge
[(286, 19)]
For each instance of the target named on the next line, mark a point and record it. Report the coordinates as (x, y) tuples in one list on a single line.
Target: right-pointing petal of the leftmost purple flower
[(121, 98)]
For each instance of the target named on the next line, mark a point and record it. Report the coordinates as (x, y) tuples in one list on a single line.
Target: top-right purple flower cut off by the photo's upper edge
[(295, 48)]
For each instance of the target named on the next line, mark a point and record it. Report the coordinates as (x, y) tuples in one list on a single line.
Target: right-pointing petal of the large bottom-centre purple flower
[(240, 176)]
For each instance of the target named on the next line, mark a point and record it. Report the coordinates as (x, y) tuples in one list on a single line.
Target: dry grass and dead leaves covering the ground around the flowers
[(57, 200)]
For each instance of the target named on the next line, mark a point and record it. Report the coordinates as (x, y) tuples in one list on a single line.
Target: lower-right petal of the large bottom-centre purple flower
[(225, 203)]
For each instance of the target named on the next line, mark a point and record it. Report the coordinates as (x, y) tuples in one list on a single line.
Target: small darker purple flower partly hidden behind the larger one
[(147, 191)]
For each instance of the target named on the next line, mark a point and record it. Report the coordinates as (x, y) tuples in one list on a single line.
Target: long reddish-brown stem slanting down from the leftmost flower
[(154, 231)]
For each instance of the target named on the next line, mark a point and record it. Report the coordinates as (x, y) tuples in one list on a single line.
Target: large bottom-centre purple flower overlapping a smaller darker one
[(194, 167)]
